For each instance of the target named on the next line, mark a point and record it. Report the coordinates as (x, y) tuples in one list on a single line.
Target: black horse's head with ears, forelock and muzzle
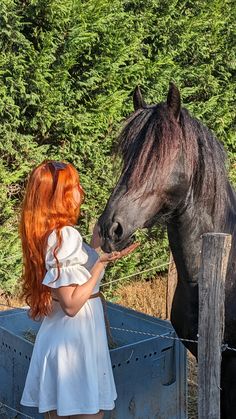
[(155, 176)]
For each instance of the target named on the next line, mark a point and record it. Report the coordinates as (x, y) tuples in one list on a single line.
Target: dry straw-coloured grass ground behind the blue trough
[(150, 298)]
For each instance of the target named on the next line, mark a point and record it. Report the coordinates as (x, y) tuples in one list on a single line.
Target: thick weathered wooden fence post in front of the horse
[(214, 260)]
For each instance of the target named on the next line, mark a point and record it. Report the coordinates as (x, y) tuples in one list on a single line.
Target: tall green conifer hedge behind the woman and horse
[(67, 72)]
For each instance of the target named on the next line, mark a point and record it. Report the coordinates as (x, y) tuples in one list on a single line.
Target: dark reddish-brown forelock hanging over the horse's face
[(149, 143)]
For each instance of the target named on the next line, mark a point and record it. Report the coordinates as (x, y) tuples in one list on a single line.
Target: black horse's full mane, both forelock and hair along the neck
[(149, 144)]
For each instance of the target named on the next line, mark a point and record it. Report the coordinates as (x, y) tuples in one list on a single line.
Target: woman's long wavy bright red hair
[(48, 205)]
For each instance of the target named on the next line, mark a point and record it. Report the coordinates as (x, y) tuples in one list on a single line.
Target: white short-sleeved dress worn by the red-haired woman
[(70, 369)]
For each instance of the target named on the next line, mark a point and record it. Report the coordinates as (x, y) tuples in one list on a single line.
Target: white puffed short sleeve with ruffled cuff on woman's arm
[(71, 257)]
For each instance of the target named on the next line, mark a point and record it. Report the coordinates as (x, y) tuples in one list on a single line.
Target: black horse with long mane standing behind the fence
[(174, 173)]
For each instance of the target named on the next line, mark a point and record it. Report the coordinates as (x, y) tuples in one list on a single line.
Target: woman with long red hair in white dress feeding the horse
[(70, 372)]
